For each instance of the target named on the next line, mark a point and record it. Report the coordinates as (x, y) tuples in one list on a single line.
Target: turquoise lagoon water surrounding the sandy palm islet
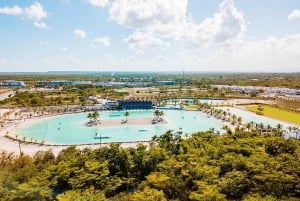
[(71, 129)]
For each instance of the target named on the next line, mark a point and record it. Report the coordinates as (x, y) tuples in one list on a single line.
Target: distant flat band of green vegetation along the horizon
[(199, 79)]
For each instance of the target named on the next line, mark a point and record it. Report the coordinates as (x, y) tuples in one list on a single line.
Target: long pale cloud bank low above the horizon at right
[(269, 55)]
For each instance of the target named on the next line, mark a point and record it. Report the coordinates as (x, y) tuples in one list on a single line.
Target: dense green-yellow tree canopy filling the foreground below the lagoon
[(237, 166)]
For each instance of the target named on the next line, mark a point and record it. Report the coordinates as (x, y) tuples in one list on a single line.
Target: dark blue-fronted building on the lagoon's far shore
[(135, 104)]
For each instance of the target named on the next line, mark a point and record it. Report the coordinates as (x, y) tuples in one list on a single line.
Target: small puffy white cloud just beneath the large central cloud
[(144, 41)]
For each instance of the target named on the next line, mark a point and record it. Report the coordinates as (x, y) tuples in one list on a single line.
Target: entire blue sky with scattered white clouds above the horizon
[(150, 35)]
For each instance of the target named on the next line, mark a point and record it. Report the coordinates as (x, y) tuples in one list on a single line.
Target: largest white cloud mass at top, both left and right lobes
[(169, 19)]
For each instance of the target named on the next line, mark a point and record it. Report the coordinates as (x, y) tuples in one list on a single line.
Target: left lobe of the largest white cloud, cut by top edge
[(160, 17)]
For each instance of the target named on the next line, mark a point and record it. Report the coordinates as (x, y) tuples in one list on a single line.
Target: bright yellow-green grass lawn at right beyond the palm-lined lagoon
[(276, 113)]
